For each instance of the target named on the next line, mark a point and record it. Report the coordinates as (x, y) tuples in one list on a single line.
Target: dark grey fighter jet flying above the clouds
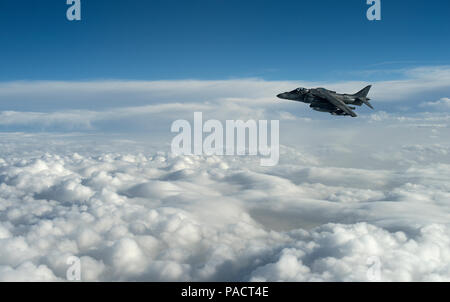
[(324, 100)]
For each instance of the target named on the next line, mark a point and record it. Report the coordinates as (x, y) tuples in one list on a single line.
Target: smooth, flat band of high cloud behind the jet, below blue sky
[(103, 105)]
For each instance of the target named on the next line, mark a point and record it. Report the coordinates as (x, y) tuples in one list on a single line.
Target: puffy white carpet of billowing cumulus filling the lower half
[(132, 215)]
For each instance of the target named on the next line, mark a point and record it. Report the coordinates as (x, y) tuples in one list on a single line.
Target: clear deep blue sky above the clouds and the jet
[(324, 40)]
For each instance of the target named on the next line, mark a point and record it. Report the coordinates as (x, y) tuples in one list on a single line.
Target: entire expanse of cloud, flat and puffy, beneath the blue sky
[(361, 199)]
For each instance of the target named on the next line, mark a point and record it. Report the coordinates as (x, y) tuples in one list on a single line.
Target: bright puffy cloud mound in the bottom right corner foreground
[(340, 253)]
